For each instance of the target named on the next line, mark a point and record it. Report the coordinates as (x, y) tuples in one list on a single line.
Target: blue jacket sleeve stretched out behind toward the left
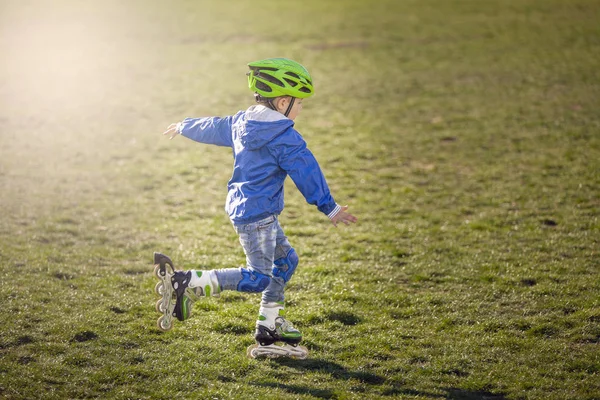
[(209, 130)]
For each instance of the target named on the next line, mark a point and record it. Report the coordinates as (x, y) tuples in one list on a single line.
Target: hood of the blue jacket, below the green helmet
[(261, 126)]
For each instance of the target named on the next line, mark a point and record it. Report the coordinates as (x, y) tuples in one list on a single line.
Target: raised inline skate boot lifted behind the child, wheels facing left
[(179, 290)]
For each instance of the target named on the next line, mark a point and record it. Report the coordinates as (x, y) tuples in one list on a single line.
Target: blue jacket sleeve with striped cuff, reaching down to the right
[(297, 160)]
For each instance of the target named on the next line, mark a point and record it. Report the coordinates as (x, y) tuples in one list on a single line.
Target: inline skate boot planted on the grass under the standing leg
[(272, 328)]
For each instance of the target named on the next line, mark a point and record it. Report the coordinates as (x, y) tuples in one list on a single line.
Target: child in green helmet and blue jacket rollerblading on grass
[(266, 149)]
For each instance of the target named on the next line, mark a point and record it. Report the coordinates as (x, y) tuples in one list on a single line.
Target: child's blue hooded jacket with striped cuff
[(266, 149)]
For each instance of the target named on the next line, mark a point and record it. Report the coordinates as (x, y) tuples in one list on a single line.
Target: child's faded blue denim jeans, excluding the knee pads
[(263, 242)]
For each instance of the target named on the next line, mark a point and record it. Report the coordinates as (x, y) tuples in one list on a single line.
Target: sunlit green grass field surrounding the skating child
[(464, 134)]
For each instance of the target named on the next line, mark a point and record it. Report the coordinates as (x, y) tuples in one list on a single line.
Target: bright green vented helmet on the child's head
[(276, 77)]
